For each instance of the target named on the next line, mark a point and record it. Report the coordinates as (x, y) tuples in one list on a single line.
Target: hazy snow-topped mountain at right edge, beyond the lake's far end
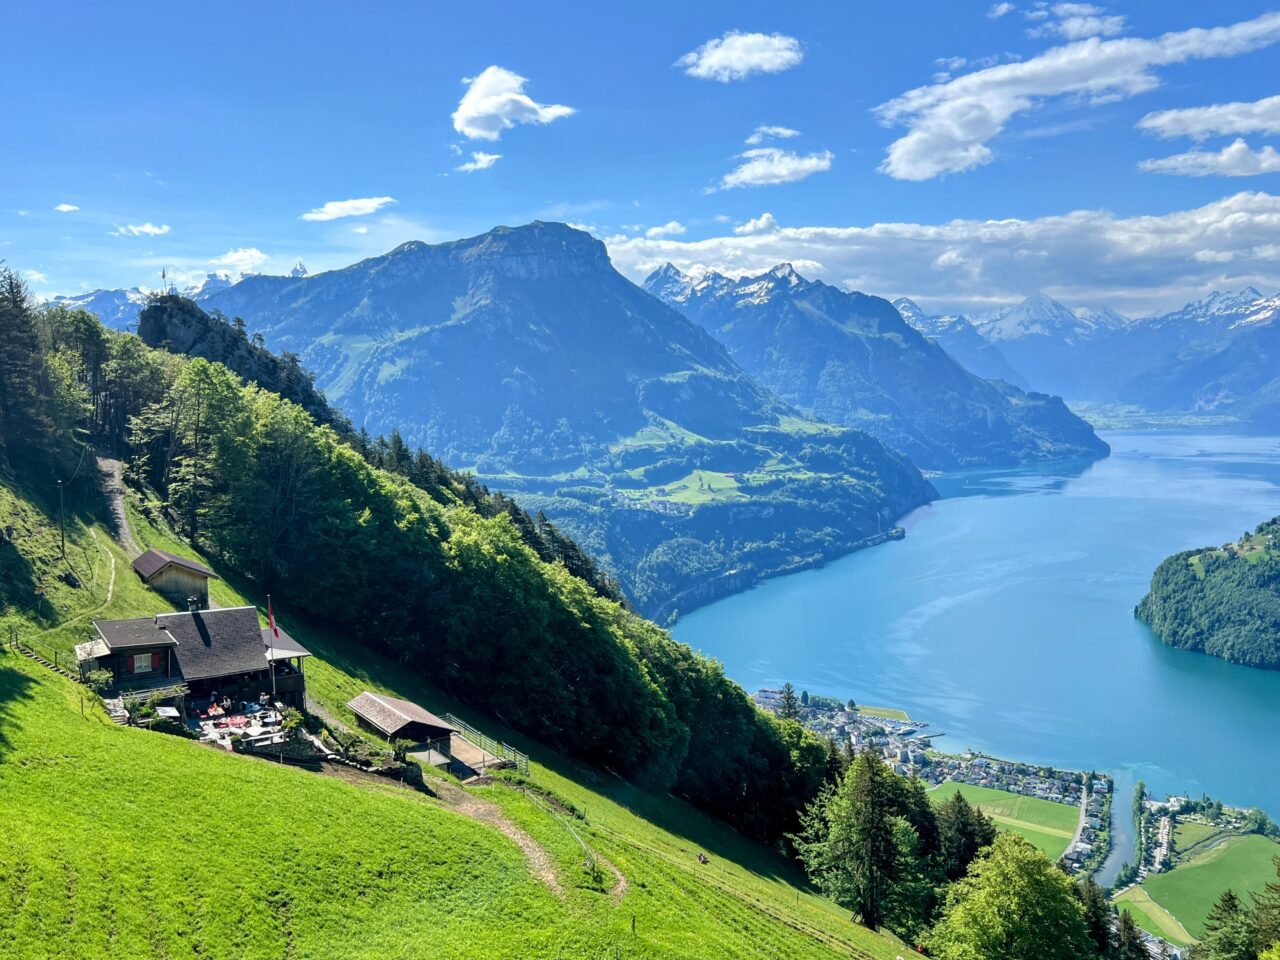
[(1233, 369)]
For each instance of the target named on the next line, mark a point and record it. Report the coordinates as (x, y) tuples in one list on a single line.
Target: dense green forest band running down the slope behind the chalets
[(417, 569)]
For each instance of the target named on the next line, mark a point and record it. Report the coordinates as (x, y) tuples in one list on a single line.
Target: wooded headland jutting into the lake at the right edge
[(1224, 602)]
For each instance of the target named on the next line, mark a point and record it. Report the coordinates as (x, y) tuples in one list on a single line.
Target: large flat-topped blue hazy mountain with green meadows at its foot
[(524, 355)]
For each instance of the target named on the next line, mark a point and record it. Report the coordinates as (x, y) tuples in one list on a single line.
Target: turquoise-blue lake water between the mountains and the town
[(1005, 619)]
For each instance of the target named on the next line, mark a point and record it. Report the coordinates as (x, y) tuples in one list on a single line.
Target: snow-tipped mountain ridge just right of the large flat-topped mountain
[(852, 359)]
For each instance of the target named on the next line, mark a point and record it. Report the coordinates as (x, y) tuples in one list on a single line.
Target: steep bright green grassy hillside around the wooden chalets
[(135, 844)]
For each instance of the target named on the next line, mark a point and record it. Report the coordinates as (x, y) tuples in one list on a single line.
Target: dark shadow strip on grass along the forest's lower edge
[(703, 833)]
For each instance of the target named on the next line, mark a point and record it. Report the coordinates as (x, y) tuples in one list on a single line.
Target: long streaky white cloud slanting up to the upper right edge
[(950, 125)]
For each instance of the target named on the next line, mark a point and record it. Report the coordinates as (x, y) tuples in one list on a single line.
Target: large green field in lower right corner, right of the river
[(1190, 890)]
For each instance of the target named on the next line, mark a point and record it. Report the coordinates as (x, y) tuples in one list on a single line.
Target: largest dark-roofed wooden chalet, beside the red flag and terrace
[(194, 655)]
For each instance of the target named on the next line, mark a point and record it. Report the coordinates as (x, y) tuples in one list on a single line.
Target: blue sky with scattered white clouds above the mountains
[(964, 154)]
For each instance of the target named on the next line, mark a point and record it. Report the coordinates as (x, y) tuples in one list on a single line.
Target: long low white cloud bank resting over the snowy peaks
[(1135, 264)]
